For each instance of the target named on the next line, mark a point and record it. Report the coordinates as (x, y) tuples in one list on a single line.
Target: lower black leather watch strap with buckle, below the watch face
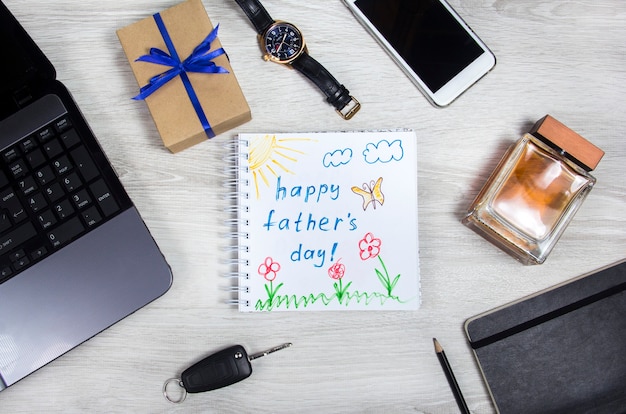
[(336, 94)]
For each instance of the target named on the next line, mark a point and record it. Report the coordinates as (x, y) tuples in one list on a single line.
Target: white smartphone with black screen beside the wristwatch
[(432, 44)]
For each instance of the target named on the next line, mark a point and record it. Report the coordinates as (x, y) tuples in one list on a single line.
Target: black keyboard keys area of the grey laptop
[(51, 192)]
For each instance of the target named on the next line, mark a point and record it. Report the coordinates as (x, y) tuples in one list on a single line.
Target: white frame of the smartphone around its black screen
[(456, 86)]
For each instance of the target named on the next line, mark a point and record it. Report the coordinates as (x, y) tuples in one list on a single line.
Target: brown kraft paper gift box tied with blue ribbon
[(184, 74)]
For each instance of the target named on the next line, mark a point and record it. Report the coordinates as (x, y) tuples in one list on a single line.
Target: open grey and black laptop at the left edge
[(75, 255)]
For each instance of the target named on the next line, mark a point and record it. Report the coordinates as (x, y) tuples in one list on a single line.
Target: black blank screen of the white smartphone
[(424, 33)]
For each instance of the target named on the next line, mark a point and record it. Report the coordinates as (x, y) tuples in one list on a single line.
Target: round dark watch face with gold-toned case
[(282, 42)]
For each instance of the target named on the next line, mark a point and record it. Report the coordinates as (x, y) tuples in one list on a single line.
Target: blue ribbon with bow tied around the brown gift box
[(200, 61)]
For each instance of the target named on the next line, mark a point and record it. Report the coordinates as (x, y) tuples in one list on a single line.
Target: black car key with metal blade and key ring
[(218, 370)]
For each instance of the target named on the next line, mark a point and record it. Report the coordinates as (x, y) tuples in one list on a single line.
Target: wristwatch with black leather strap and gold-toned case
[(283, 43)]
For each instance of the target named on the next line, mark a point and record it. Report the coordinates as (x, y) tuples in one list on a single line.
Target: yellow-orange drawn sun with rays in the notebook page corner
[(268, 155)]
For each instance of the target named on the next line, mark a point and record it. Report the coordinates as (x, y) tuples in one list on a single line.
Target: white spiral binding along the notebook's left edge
[(237, 193)]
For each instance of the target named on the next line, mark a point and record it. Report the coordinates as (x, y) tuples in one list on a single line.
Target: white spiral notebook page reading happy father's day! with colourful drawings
[(326, 221)]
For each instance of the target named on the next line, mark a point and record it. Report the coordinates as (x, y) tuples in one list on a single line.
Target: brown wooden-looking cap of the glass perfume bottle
[(575, 146)]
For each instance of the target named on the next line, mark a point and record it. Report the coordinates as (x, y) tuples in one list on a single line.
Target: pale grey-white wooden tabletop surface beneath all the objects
[(564, 58)]
